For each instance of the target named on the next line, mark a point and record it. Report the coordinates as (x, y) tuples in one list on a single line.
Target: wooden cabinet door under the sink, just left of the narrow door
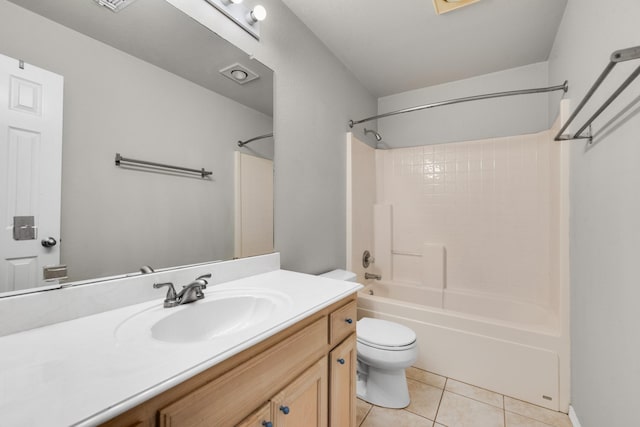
[(304, 401)]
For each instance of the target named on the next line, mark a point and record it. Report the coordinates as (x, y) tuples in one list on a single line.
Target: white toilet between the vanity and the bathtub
[(385, 349)]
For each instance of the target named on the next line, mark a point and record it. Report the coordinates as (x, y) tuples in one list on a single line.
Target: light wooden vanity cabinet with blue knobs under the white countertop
[(302, 376)]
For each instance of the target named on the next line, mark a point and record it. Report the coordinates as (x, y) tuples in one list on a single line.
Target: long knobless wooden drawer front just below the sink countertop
[(228, 399)]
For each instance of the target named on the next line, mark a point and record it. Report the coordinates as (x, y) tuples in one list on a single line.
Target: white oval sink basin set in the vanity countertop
[(219, 314)]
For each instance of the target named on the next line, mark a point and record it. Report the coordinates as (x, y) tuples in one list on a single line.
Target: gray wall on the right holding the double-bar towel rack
[(605, 218)]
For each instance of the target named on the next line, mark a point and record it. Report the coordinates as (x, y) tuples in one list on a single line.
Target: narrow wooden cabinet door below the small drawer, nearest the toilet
[(342, 384)]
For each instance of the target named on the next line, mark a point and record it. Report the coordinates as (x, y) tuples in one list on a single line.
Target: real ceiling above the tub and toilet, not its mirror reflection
[(396, 46)]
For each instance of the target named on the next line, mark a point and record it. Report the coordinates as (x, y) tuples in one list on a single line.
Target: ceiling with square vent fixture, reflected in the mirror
[(192, 51)]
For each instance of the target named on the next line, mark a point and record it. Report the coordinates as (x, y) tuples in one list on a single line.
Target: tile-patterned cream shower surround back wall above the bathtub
[(472, 217)]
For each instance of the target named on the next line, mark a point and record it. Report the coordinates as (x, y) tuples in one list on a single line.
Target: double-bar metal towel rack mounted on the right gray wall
[(616, 57)]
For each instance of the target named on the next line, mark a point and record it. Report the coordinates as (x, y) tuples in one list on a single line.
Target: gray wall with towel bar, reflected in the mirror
[(115, 220)]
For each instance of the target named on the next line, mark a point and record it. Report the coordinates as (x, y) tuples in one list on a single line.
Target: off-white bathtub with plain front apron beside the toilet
[(507, 346)]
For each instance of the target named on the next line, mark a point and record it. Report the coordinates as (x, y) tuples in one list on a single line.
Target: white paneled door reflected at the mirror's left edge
[(31, 101)]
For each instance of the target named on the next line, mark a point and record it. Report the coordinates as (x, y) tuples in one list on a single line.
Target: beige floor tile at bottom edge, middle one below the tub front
[(460, 411)]
